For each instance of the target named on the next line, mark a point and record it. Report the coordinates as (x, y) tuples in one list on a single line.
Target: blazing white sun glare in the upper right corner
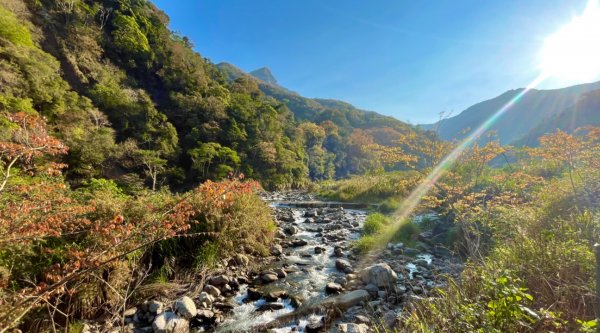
[(573, 52)]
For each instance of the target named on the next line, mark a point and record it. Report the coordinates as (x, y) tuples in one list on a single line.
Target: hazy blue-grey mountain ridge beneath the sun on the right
[(538, 112)]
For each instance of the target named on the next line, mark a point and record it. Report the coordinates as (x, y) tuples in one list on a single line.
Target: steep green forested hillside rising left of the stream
[(136, 104)]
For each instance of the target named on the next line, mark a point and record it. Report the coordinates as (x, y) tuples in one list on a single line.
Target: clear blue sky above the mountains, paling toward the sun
[(408, 59)]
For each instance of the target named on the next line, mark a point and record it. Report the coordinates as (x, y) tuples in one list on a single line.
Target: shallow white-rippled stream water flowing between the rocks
[(308, 272)]
